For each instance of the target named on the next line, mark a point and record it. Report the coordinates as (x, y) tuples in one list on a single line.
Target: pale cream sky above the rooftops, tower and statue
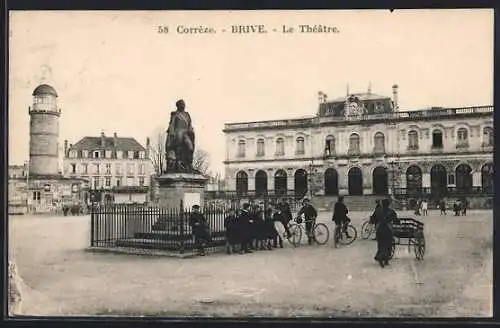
[(114, 72)]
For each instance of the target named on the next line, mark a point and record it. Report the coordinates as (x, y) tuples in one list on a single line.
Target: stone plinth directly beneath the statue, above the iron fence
[(174, 187)]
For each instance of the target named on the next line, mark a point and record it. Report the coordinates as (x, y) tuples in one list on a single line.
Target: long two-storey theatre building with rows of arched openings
[(363, 144)]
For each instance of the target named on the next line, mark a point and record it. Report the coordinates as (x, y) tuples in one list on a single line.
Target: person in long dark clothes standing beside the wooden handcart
[(385, 217)]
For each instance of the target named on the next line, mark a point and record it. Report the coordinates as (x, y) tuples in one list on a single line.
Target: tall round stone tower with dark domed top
[(44, 132)]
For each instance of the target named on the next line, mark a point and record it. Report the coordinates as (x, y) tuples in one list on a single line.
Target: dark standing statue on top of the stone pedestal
[(179, 145)]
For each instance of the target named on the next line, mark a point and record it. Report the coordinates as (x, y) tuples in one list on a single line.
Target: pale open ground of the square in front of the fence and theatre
[(60, 278)]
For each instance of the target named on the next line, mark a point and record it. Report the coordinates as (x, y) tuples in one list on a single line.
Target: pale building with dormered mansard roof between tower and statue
[(118, 168)]
